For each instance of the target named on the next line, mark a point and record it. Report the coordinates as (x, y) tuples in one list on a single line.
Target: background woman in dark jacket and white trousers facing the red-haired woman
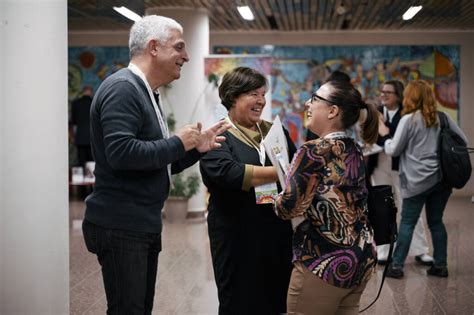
[(384, 170)]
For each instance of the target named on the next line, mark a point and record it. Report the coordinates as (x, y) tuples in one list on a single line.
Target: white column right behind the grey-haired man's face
[(186, 95)]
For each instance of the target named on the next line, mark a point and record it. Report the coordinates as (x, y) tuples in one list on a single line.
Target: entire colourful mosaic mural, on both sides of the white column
[(297, 71)]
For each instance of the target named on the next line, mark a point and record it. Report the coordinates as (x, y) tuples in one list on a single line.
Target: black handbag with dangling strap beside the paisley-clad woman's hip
[(383, 219)]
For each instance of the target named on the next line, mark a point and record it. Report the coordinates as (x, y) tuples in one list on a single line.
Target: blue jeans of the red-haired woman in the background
[(435, 200)]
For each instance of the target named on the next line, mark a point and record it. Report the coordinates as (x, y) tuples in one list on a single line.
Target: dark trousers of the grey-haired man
[(129, 262)]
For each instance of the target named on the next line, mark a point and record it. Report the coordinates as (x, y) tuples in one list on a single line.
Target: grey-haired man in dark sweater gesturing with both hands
[(135, 157)]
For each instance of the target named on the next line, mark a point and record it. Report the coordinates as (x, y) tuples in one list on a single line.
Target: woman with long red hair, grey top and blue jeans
[(416, 142)]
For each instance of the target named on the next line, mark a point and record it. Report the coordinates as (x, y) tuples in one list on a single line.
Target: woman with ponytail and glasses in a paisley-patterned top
[(333, 251)]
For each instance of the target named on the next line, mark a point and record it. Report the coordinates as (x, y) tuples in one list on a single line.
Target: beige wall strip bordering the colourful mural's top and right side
[(464, 39)]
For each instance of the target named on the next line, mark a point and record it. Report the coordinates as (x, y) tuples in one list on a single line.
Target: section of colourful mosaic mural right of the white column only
[(297, 71)]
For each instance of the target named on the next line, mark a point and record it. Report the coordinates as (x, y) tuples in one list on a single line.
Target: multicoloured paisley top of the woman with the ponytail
[(326, 184)]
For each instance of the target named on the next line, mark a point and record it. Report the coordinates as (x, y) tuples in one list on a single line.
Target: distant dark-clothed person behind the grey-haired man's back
[(80, 119)]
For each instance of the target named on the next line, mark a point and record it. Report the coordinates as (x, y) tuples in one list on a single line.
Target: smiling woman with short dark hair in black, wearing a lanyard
[(250, 246)]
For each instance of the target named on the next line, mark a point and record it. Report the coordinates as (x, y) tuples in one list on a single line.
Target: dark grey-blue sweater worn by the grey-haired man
[(131, 157)]
